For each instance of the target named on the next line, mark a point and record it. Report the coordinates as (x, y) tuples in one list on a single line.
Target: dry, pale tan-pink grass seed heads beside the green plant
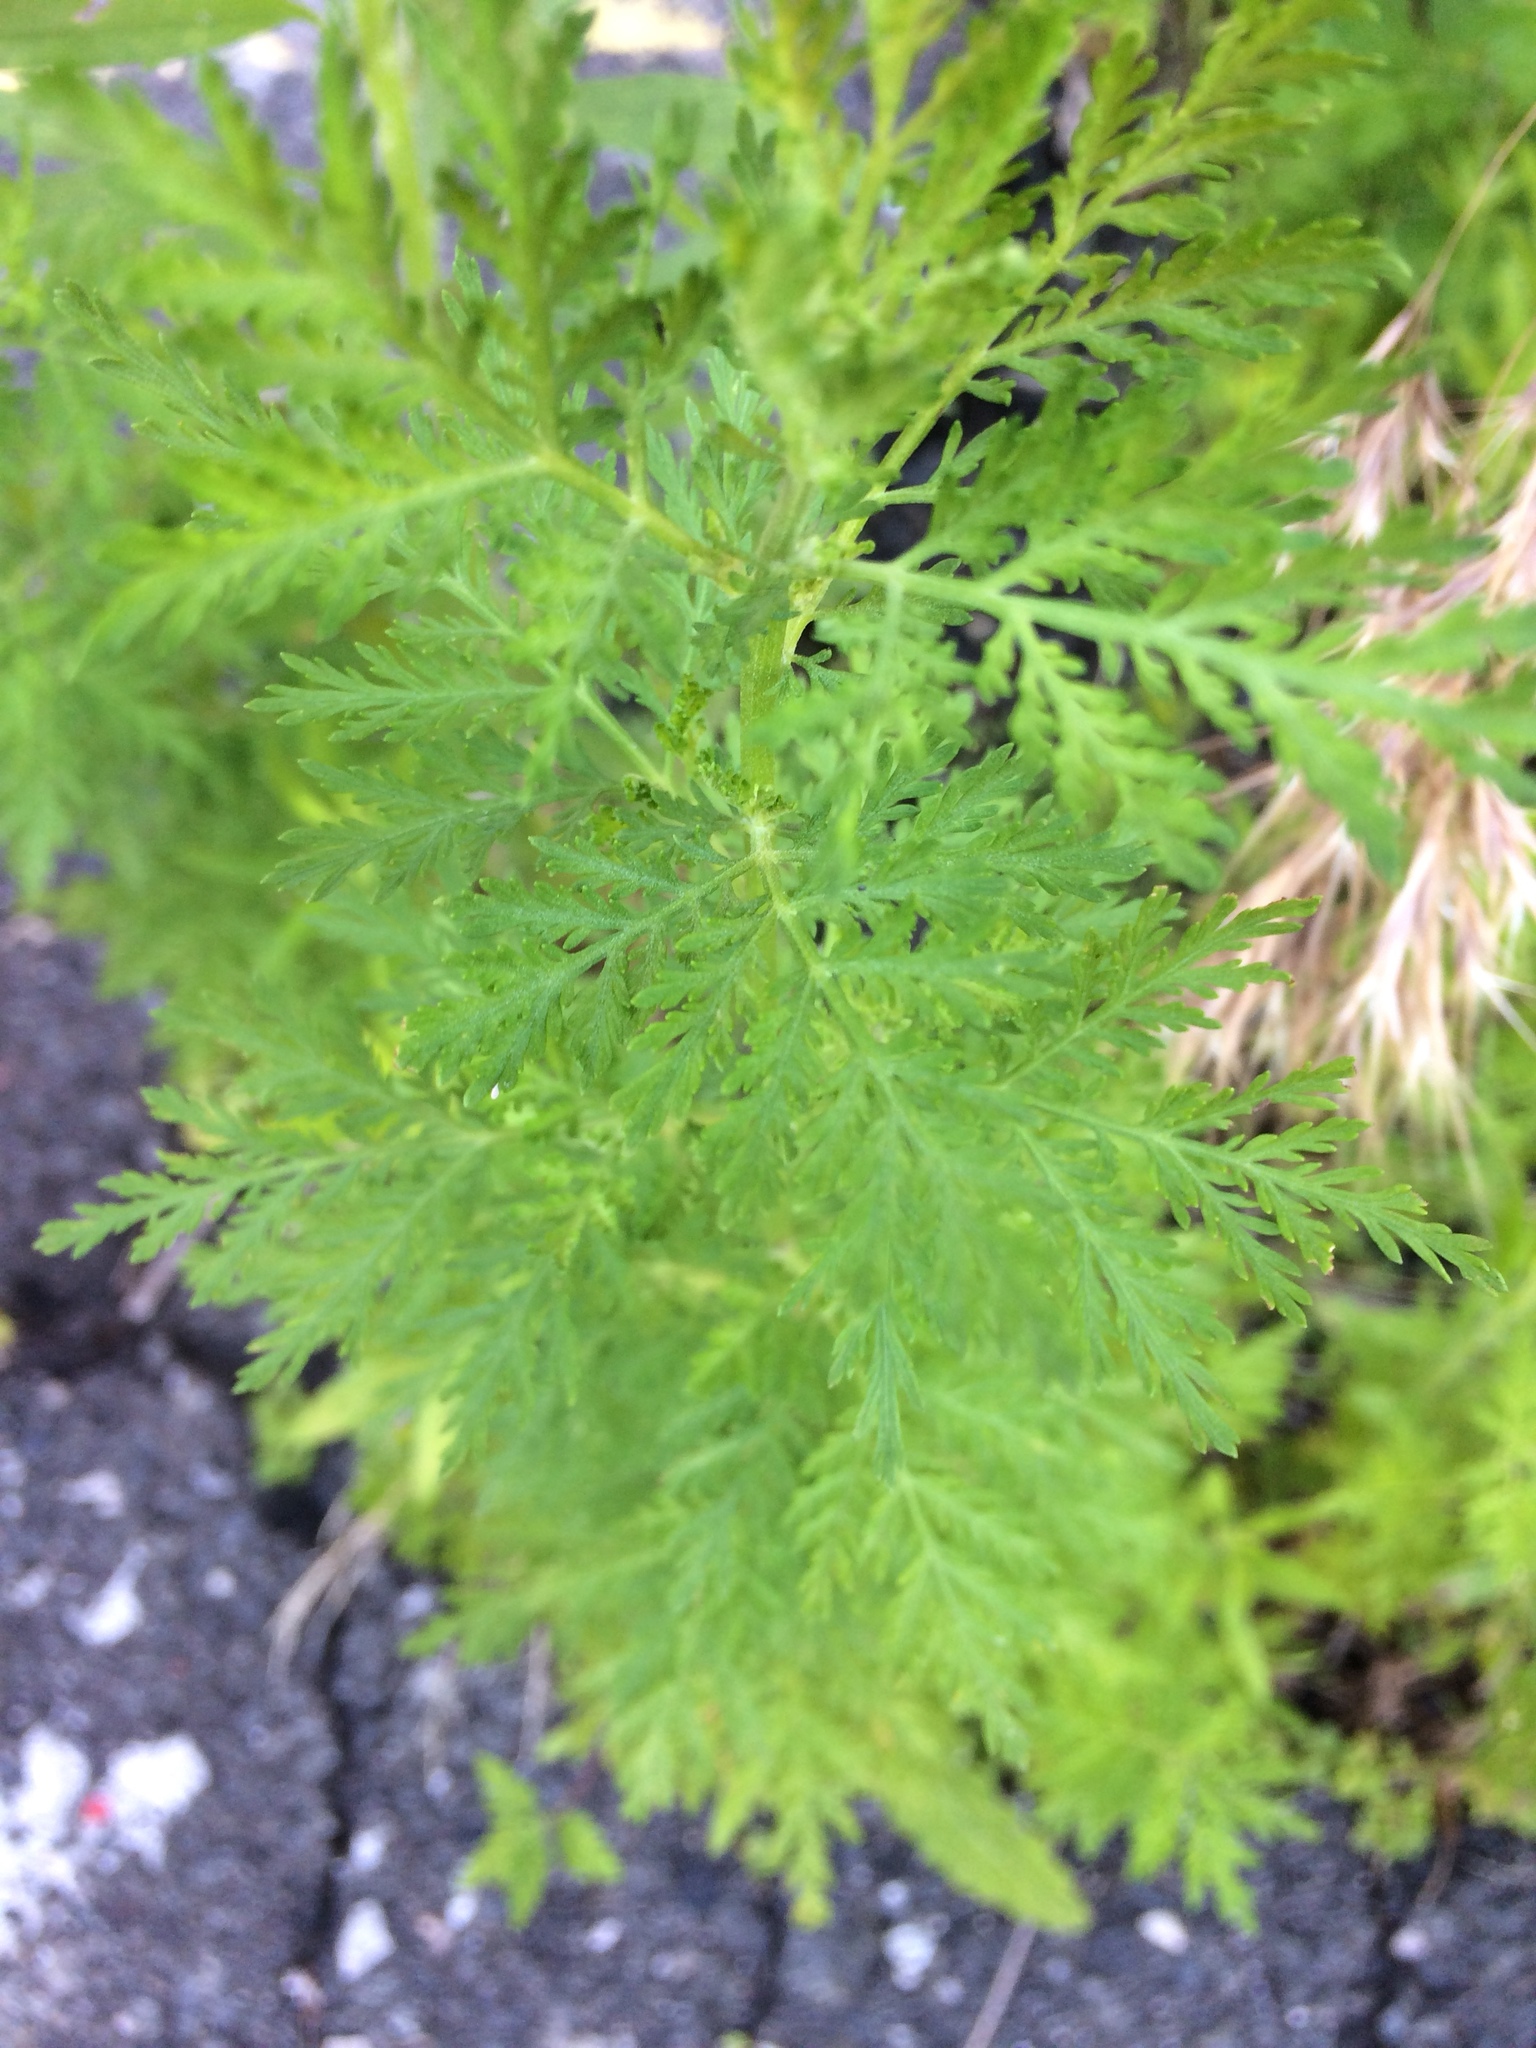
[(1400, 976)]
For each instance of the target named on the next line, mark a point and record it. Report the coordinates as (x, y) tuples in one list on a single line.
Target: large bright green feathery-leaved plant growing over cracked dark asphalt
[(699, 1058)]
